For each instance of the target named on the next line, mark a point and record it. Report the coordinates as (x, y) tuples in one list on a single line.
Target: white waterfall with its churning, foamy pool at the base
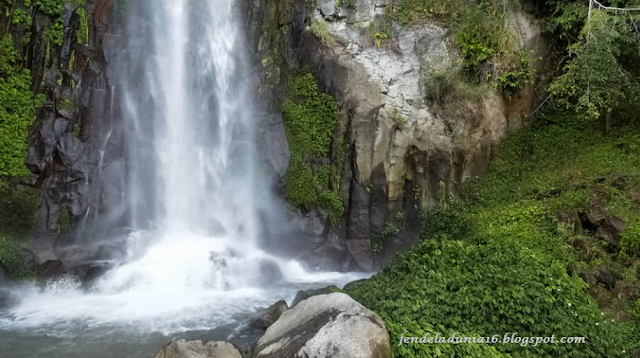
[(194, 267)]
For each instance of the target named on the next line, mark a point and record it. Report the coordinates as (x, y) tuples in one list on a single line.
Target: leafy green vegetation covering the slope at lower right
[(500, 261)]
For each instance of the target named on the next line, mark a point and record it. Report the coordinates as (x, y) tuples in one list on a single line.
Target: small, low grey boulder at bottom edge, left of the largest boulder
[(197, 349)]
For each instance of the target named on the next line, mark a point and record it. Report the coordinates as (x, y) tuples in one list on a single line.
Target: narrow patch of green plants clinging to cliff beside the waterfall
[(310, 118)]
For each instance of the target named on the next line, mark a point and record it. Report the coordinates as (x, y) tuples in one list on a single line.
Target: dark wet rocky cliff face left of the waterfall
[(74, 140)]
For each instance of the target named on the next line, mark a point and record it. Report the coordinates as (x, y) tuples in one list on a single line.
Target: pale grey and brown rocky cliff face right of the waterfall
[(404, 152)]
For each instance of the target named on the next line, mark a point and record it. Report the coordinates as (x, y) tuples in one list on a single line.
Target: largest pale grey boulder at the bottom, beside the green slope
[(331, 325)]
